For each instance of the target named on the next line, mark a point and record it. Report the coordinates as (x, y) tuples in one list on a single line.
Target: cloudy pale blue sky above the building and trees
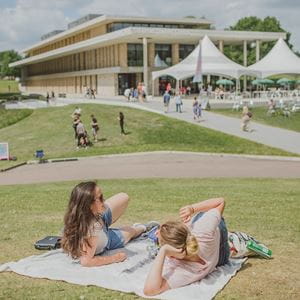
[(23, 22)]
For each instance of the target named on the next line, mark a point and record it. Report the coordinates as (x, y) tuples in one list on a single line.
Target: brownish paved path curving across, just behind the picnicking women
[(154, 165)]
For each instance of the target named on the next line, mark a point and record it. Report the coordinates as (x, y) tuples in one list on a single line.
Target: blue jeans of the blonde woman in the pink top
[(224, 247)]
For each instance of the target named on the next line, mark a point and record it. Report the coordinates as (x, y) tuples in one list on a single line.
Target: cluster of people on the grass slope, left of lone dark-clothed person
[(81, 134)]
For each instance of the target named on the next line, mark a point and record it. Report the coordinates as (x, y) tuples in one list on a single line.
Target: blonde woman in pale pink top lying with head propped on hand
[(190, 248)]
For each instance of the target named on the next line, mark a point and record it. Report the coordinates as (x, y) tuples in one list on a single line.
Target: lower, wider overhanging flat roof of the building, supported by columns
[(157, 35)]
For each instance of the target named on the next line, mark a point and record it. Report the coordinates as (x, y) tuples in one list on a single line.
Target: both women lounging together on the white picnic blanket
[(189, 248)]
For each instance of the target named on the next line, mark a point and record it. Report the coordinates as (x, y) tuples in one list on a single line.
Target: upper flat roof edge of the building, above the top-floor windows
[(106, 19)]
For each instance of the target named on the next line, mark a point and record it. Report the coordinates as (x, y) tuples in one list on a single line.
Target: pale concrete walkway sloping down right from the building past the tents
[(271, 136)]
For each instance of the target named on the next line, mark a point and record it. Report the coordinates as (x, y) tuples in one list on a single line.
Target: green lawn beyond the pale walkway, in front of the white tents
[(260, 115)]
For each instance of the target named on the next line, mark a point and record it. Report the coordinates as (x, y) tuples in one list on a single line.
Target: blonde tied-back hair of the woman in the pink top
[(176, 234)]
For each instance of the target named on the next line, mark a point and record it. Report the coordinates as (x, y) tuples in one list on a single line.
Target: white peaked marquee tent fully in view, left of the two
[(213, 62)]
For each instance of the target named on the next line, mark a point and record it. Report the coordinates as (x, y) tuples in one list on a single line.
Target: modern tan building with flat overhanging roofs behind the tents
[(111, 53)]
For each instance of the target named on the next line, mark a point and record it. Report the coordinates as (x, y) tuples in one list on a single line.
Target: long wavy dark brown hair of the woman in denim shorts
[(78, 218)]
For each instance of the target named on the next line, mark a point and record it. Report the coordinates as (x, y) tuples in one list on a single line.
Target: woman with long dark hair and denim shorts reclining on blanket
[(86, 226)]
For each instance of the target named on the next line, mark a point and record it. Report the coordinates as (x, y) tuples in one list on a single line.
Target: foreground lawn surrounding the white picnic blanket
[(266, 208)]
